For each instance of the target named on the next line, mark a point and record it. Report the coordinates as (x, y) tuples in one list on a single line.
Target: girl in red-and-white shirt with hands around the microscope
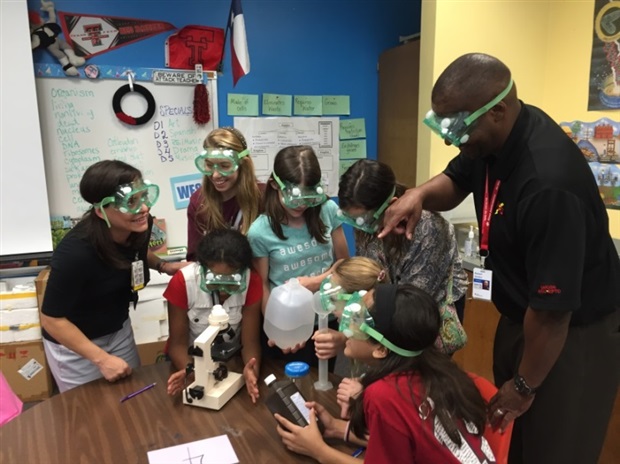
[(223, 275)]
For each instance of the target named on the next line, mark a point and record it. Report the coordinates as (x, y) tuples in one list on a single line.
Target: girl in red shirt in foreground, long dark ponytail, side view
[(417, 406)]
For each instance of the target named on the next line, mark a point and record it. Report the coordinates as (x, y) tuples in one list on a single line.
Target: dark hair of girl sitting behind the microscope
[(225, 246)]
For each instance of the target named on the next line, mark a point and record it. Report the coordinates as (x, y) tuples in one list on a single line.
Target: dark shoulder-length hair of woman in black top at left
[(100, 180)]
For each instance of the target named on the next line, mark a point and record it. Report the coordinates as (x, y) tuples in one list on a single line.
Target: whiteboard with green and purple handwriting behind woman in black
[(79, 128)]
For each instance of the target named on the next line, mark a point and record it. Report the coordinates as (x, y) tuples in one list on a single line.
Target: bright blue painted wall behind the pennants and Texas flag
[(305, 47)]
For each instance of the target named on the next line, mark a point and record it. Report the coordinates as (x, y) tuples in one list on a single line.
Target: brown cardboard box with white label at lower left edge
[(25, 367)]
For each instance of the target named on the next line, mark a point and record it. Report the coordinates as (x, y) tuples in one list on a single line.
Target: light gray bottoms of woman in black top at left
[(71, 370)]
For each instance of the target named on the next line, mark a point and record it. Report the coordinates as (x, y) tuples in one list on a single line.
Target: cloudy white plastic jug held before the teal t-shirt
[(289, 314)]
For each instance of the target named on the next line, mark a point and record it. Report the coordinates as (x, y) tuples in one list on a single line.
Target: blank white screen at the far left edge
[(24, 214)]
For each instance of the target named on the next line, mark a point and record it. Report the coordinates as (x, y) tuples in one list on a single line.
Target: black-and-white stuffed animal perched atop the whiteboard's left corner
[(45, 35)]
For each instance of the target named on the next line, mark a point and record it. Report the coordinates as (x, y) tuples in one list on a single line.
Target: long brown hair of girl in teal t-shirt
[(297, 165)]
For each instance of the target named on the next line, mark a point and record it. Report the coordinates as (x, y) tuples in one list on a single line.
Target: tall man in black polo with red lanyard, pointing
[(553, 269)]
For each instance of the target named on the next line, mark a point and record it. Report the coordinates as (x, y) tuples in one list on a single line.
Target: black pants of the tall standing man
[(568, 419)]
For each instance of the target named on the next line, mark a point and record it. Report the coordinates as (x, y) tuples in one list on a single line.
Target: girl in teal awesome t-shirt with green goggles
[(300, 234)]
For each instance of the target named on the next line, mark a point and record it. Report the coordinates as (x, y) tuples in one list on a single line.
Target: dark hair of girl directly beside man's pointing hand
[(367, 184)]
